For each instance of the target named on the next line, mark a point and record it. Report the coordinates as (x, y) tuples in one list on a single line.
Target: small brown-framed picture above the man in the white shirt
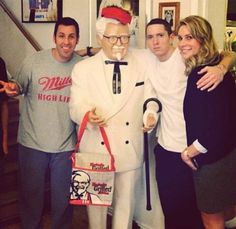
[(170, 11)]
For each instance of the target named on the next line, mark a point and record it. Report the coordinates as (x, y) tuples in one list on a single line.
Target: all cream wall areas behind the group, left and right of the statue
[(14, 47)]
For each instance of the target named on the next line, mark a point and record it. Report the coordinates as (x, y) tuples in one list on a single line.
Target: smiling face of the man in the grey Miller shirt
[(66, 41)]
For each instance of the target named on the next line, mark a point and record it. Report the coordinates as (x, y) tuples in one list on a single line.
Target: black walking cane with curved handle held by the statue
[(146, 155)]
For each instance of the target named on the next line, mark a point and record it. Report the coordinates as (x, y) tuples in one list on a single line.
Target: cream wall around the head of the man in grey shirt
[(13, 45)]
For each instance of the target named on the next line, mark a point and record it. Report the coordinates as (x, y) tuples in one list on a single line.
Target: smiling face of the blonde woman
[(188, 45)]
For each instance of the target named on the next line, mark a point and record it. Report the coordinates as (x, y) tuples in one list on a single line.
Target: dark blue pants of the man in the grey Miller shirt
[(33, 166)]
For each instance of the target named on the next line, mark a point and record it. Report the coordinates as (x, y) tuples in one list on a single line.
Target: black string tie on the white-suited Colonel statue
[(116, 80)]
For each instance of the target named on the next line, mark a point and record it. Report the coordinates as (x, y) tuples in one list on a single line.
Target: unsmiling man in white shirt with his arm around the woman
[(167, 82)]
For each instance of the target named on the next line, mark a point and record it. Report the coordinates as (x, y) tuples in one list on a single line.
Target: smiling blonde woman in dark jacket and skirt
[(210, 124)]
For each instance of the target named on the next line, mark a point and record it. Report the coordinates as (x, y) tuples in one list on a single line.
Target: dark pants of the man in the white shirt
[(176, 191)]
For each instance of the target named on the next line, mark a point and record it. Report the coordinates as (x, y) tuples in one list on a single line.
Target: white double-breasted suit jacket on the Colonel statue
[(124, 117)]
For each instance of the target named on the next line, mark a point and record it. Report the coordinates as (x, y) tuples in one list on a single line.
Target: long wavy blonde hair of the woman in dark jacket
[(201, 30)]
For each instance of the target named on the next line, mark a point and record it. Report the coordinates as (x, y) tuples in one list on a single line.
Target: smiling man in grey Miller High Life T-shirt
[(46, 134)]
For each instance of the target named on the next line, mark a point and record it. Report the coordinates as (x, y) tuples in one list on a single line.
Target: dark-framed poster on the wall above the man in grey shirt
[(41, 11)]
